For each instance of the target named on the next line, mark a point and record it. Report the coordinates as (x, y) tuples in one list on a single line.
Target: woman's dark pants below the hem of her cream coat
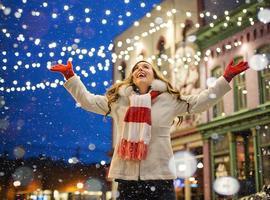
[(146, 190)]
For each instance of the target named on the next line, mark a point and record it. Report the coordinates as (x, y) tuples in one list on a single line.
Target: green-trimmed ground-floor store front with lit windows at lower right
[(240, 148)]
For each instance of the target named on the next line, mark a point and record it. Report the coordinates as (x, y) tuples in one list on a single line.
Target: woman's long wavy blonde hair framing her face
[(113, 95)]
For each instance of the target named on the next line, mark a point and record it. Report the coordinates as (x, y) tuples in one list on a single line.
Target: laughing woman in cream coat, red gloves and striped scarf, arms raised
[(144, 106)]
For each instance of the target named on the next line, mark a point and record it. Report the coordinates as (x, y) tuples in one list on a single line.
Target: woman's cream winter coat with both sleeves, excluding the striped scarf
[(163, 111)]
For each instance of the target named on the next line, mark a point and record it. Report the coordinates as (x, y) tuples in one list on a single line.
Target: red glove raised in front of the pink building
[(231, 70)]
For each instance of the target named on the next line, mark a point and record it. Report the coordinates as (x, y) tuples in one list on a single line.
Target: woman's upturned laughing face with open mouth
[(142, 73)]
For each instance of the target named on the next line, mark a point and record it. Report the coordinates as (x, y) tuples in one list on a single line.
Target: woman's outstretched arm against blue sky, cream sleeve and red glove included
[(90, 102)]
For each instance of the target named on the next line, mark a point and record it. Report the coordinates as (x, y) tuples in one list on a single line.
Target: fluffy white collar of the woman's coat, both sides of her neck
[(157, 85)]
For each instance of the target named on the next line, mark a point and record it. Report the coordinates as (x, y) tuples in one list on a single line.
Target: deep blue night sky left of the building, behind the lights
[(38, 115)]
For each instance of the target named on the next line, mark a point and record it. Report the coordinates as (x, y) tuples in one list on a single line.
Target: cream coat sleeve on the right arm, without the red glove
[(205, 99)]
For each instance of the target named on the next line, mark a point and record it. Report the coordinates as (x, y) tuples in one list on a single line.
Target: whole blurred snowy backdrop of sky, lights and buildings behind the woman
[(52, 149)]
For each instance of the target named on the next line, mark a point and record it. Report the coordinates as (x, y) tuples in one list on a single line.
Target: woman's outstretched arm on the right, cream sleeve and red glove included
[(209, 97)]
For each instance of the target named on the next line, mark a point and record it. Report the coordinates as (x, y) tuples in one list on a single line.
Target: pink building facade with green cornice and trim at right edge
[(236, 135)]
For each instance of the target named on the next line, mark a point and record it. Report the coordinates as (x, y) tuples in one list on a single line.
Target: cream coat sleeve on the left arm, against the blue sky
[(90, 102)]
